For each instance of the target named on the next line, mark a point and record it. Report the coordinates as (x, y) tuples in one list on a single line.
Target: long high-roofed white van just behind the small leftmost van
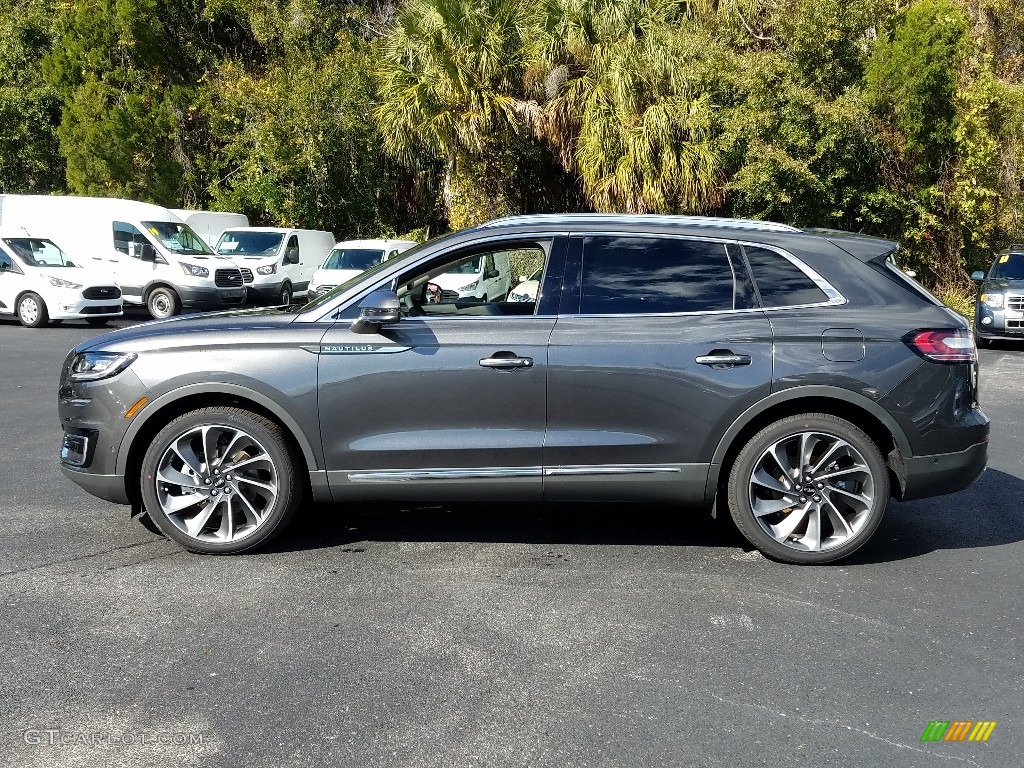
[(157, 261)]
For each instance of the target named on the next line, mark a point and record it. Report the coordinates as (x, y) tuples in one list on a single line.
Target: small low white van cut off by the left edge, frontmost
[(40, 283)]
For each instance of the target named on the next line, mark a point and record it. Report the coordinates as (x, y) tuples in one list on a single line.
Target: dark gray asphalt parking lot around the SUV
[(499, 635)]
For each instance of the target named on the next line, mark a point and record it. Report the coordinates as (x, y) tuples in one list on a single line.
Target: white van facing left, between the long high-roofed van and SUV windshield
[(282, 262)]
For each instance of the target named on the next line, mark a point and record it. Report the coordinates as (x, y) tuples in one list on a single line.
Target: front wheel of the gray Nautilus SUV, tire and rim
[(222, 481)]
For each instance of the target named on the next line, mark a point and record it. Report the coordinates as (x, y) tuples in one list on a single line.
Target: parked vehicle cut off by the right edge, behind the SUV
[(999, 311)]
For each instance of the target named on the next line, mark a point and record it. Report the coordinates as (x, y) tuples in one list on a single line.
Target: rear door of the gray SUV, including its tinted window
[(661, 349)]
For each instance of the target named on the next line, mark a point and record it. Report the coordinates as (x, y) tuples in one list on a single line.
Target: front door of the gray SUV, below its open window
[(449, 403)]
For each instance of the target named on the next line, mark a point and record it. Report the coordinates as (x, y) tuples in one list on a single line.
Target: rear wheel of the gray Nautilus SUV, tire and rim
[(809, 489)]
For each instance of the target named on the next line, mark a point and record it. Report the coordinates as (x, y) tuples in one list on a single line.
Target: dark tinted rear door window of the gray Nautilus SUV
[(631, 276)]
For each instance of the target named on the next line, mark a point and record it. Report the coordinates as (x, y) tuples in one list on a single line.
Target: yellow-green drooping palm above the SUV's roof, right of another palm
[(616, 106)]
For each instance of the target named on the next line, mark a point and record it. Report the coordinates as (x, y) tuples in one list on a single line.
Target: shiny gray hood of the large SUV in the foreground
[(189, 330)]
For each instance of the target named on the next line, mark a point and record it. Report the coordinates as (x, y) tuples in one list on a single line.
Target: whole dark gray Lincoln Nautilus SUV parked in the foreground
[(798, 378)]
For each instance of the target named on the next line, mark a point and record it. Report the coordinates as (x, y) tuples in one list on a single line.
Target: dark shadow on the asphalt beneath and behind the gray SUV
[(989, 515)]
